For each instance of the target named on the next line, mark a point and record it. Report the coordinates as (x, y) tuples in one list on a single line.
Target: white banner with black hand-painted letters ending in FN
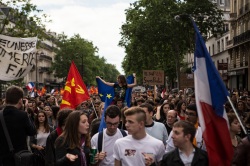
[(17, 57)]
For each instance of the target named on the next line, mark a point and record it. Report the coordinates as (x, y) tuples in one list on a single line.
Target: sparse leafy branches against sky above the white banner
[(25, 18)]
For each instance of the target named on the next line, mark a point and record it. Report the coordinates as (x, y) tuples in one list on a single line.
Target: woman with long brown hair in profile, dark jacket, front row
[(71, 147)]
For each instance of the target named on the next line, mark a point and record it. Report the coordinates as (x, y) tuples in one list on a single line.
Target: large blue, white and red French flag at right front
[(211, 94)]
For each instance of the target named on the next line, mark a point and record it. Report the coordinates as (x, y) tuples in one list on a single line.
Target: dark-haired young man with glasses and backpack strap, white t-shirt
[(108, 137)]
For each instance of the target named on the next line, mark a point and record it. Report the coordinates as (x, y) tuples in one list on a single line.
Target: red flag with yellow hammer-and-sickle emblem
[(75, 91)]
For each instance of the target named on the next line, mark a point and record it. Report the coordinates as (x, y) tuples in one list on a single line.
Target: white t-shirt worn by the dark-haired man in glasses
[(107, 147)]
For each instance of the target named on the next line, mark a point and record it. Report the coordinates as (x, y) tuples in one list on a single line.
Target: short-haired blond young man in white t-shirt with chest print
[(139, 148)]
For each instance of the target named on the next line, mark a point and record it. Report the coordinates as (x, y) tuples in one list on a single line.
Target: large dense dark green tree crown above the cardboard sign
[(154, 40)]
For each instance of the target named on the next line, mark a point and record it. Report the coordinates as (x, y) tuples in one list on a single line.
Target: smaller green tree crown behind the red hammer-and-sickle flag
[(81, 52)]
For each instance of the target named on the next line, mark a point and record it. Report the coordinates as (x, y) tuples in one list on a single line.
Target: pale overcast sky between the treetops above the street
[(98, 21)]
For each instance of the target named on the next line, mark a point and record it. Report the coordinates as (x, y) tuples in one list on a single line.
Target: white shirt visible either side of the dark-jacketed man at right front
[(198, 136)]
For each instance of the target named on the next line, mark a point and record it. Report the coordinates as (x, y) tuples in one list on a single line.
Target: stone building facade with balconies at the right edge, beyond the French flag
[(239, 45)]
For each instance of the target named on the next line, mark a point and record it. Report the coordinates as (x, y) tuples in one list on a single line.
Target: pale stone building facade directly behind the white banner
[(41, 73)]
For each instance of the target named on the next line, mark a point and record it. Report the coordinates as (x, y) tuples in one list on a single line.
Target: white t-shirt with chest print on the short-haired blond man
[(129, 150)]
